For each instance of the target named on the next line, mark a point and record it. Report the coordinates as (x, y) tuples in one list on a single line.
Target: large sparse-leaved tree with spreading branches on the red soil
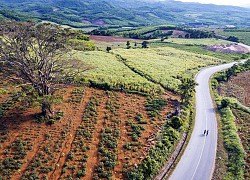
[(38, 56)]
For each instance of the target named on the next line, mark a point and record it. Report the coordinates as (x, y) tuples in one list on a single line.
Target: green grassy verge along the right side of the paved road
[(232, 154)]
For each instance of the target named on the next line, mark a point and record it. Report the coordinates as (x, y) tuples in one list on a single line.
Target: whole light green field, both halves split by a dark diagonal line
[(163, 66)]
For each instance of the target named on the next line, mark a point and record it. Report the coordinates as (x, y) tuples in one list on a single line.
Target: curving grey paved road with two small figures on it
[(198, 160)]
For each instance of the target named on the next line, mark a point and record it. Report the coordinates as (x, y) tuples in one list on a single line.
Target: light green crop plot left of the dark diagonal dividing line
[(108, 73)]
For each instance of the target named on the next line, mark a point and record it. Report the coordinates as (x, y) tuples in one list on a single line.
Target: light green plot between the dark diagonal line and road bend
[(165, 65)]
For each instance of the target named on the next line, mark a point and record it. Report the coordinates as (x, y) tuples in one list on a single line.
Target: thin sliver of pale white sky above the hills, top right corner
[(221, 2)]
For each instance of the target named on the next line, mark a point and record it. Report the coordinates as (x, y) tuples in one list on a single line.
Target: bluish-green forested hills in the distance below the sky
[(80, 13)]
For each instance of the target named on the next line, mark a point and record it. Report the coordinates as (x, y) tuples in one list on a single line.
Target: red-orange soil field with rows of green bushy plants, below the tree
[(102, 134)]
